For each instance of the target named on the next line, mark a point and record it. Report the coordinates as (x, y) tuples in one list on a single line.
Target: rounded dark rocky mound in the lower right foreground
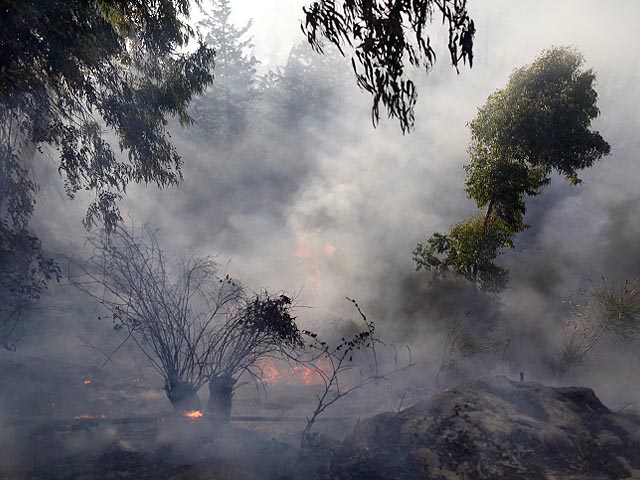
[(495, 428)]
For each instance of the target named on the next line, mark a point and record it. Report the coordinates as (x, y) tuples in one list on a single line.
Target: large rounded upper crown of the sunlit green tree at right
[(539, 123)]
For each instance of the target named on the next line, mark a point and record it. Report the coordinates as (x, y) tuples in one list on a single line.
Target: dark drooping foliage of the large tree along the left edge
[(69, 70)]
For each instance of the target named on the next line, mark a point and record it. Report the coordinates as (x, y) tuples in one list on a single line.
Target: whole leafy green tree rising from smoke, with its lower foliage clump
[(539, 123)]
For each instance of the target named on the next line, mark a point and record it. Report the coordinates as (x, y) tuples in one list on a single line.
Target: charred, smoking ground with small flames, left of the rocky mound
[(66, 421)]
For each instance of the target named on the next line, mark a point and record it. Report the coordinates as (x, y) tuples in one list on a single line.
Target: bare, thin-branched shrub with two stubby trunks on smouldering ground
[(193, 325)]
